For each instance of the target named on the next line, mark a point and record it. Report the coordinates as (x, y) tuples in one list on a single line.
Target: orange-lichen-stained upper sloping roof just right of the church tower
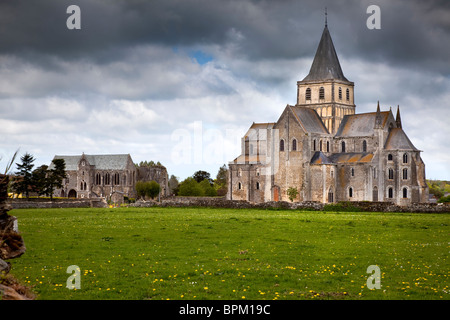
[(360, 125)]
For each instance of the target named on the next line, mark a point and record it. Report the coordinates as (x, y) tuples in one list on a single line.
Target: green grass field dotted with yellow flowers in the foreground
[(205, 253)]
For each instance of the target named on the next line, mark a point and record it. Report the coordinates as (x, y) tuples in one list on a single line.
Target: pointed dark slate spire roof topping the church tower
[(326, 63)]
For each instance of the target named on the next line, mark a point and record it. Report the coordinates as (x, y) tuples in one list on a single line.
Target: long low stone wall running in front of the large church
[(310, 205)]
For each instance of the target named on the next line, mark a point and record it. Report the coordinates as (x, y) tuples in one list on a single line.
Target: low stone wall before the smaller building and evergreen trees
[(57, 203)]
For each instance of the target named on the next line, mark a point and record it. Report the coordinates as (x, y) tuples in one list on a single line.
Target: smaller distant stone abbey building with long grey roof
[(109, 176)]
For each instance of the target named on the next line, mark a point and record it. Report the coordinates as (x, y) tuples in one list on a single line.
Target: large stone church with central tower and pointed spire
[(325, 150)]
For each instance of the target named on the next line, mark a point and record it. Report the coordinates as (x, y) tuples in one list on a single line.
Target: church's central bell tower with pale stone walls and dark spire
[(326, 89)]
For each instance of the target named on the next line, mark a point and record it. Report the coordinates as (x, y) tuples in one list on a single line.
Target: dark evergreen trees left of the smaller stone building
[(41, 180)]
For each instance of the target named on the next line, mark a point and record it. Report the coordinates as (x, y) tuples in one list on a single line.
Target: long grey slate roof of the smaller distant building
[(101, 162)]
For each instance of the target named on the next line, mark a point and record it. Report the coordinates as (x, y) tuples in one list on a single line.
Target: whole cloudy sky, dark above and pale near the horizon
[(180, 81)]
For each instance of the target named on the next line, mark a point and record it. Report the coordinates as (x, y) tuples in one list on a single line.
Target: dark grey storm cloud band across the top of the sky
[(411, 31)]
